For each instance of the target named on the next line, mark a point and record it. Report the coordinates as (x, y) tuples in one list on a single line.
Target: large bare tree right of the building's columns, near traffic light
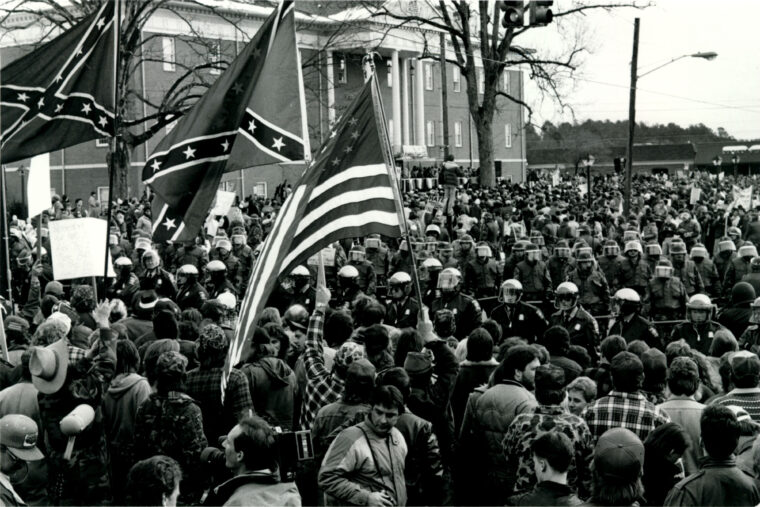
[(475, 32)]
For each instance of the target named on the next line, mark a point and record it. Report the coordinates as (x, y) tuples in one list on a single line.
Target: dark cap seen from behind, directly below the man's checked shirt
[(619, 455)]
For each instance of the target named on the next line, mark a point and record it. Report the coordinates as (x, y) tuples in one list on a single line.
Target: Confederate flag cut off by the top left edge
[(62, 93)]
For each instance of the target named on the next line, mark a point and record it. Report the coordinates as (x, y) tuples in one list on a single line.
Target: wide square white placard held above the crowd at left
[(78, 248)]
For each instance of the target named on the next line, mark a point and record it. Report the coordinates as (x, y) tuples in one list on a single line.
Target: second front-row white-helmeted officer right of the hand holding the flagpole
[(516, 317)]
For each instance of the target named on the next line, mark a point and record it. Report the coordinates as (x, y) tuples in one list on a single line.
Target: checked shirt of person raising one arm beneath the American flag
[(322, 386)]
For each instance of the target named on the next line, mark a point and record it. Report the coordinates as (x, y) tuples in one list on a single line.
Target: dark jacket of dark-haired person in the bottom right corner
[(719, 482)]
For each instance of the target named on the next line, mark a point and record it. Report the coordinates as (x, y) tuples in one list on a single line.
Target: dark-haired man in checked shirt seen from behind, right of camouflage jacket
[(624, 406)]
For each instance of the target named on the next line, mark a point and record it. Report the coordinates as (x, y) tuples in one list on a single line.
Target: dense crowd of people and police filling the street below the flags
[(527, 344)]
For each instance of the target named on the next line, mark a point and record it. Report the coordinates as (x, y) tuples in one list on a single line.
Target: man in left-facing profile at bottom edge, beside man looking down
[(250, 452)]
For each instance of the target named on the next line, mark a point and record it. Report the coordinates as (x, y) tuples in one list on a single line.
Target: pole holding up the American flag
[(377, 102)]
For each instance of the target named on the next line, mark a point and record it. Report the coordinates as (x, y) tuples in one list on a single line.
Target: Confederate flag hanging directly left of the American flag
[(252, 115)]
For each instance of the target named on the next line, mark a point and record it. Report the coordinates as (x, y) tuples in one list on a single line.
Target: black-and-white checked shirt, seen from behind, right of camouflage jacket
[(623, 410)]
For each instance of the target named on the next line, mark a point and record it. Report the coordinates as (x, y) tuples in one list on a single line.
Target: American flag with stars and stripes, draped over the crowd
[(348, 191)]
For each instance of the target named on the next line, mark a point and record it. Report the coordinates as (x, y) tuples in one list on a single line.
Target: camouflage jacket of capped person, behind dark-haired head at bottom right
[(527, 427)]
